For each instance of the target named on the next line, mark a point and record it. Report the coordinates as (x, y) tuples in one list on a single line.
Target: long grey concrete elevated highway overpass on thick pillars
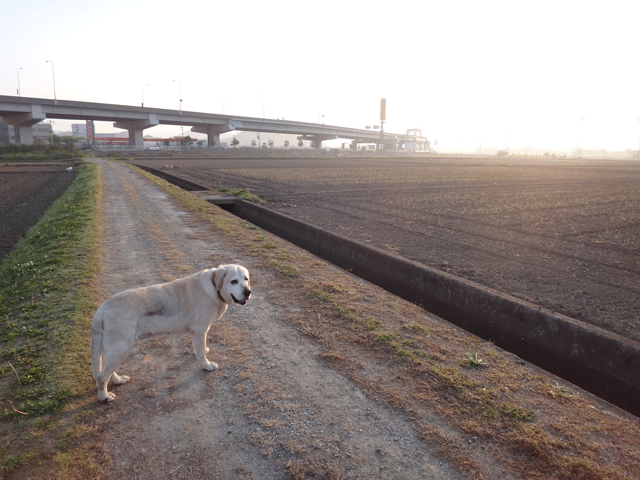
[(24, 112)]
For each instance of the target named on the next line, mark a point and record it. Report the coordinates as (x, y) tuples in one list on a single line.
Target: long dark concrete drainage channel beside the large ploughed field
[(599, 361)]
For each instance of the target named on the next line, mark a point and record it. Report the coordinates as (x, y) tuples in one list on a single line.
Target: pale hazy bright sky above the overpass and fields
[(464, 72)]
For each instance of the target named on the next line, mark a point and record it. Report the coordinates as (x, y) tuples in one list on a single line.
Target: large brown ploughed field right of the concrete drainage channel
[(565, 236)]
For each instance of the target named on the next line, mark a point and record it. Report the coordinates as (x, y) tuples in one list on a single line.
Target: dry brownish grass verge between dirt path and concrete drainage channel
[(533, 426)]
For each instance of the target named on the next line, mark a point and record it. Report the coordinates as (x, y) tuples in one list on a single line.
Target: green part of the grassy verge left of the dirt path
[(46, 302)]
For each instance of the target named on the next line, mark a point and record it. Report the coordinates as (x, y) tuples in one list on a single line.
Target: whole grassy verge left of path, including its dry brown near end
[(47, 299)]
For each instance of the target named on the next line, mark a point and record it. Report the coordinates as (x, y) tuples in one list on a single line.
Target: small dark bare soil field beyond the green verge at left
[(26, 192)]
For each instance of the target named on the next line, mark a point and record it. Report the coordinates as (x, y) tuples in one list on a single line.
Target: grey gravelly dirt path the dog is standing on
[(273, 400)]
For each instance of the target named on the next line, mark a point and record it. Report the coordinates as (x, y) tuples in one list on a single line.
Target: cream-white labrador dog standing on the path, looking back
[(187, 305)]
